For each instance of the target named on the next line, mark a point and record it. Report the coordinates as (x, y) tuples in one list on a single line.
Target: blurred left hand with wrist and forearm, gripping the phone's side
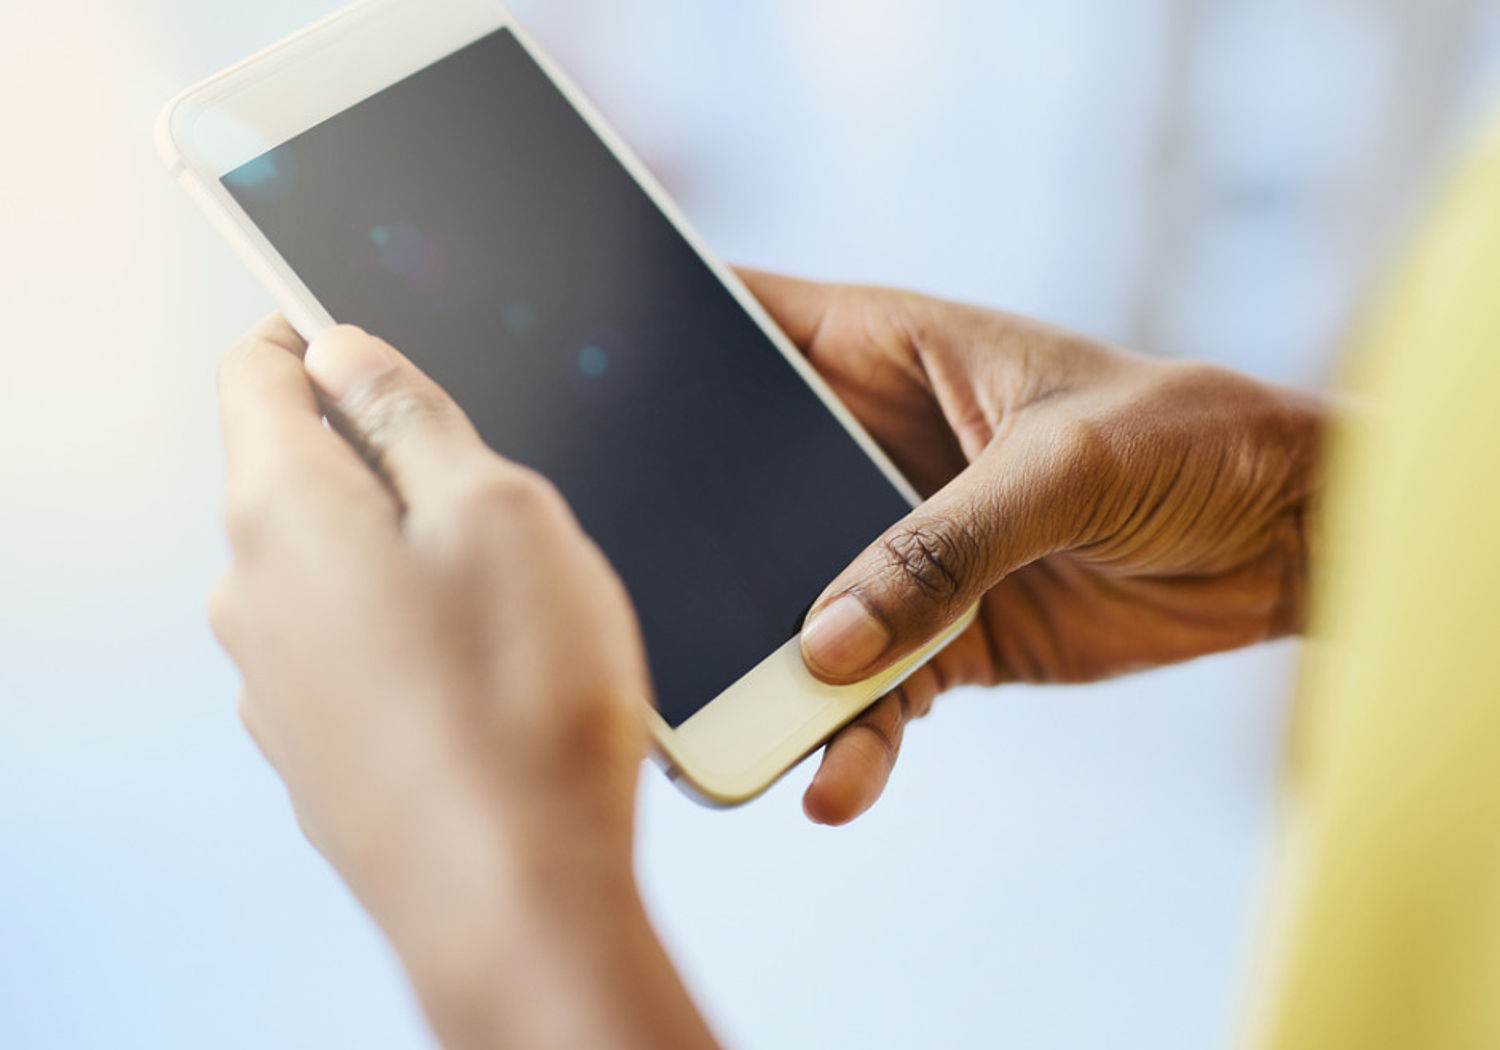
[(449, 677)]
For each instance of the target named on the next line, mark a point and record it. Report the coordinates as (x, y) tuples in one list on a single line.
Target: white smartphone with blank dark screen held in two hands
[(424, 170)]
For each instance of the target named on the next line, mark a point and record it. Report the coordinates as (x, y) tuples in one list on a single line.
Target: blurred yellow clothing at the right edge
[(1391, 929)]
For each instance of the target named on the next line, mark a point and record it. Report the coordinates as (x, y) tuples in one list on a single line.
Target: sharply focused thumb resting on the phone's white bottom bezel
[(1006, 511)]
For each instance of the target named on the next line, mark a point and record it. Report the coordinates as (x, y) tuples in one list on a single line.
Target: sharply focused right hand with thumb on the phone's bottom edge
[(1108, 512)]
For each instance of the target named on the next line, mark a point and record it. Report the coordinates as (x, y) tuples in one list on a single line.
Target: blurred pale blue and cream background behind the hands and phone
[(1051, 868)]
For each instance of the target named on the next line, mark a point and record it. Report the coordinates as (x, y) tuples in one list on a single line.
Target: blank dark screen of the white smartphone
[(470, 217)]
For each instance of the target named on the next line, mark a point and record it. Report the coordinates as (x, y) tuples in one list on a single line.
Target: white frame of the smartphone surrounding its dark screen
[(778, 713)]
